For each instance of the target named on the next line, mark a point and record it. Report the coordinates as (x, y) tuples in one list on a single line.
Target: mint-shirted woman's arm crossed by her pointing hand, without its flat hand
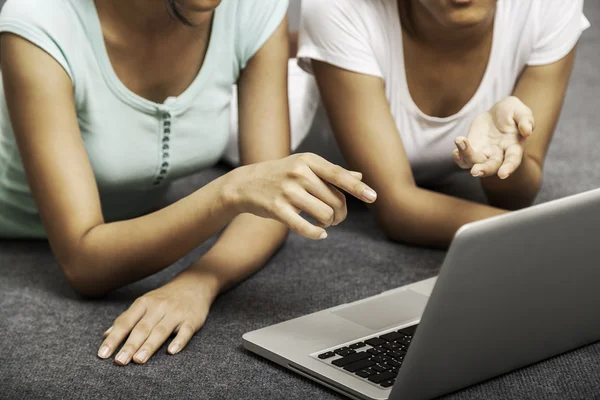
[(250, 241)]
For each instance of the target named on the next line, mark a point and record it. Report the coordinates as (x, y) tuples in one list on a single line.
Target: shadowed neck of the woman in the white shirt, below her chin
[(432, 33)]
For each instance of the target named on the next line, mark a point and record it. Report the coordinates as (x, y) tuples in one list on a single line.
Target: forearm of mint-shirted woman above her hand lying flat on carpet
[(243, 248)]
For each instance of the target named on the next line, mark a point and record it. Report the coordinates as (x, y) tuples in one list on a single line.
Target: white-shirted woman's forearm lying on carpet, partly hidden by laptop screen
[(420, 217)]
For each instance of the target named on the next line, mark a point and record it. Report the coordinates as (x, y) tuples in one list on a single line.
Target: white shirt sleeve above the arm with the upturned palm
[(560, 25)]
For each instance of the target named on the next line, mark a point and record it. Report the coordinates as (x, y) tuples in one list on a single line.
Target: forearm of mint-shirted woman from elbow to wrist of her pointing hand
[(114, 254)]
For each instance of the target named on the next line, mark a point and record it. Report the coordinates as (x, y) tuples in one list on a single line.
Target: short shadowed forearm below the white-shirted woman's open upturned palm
[(517, 191)]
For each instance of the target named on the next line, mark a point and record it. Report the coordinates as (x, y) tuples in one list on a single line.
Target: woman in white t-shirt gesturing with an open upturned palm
[(414, 88)]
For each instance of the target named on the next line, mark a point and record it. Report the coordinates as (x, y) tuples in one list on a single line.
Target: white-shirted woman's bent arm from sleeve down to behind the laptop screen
[(368, 137)]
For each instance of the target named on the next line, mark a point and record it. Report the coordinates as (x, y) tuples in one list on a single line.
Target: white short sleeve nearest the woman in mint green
[(334, 32)]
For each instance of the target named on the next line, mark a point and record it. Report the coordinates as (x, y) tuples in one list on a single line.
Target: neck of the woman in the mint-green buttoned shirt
[(151, 18)]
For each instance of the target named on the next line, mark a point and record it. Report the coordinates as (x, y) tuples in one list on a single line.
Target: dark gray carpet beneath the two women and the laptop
[(49, 336)]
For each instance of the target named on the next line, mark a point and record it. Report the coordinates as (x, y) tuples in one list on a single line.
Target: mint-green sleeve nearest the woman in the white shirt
[(258, 20)]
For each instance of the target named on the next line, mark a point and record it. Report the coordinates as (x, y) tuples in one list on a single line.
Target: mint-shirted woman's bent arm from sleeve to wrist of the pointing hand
[(95, 256)]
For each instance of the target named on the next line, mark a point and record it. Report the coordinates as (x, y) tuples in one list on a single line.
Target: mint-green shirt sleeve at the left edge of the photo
[(40, 23)]
